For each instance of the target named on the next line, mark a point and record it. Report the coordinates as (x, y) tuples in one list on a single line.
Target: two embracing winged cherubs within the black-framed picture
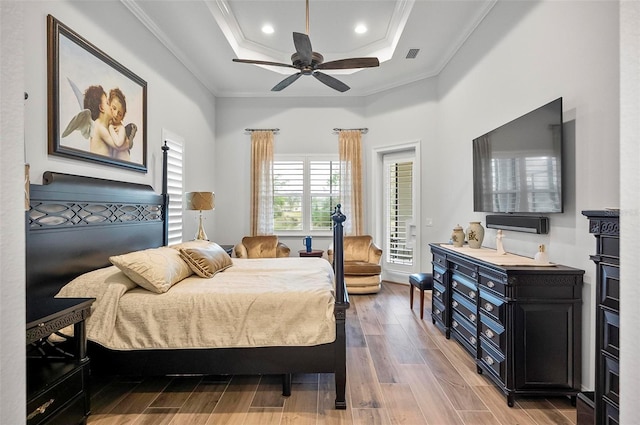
[(100, 121)]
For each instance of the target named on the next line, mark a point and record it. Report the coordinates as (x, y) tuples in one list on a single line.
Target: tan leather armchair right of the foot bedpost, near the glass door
[(361, 264)]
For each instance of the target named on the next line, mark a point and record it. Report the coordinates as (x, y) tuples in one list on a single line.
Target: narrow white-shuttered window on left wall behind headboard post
[(174, 187)]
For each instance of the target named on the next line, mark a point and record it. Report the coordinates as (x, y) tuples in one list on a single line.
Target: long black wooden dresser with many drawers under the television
[(522, 324)]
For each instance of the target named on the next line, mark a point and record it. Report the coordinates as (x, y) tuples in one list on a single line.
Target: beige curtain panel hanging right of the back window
[(350, 151)]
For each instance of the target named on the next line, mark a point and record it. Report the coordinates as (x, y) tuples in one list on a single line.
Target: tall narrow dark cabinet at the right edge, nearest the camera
[(605, 226)]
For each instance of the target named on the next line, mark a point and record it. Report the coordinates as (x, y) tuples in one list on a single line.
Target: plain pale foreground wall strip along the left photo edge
[(12, 284)]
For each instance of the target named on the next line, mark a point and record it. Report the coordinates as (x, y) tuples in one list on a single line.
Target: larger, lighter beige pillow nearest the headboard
[(155, 269)]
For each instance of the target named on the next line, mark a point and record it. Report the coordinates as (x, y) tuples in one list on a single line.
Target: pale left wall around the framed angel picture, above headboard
[(176, 101)]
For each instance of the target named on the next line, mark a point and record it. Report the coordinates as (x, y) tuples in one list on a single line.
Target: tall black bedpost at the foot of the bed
[(342, 304)]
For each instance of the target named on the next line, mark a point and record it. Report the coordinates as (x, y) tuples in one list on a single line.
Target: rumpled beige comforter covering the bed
[(254, 303)]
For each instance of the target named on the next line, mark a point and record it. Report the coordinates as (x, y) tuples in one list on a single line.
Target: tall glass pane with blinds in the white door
[(399, 211)]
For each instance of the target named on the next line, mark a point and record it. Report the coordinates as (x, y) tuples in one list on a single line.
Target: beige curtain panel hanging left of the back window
[(261, 183)]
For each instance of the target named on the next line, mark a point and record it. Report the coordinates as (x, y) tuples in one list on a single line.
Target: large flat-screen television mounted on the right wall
[(517, 168)]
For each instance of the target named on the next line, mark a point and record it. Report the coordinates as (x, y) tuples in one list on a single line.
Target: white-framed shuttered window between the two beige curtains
[(305, 194)]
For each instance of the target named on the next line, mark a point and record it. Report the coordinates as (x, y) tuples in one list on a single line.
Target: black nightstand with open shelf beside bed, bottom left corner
[(57, 370)]
